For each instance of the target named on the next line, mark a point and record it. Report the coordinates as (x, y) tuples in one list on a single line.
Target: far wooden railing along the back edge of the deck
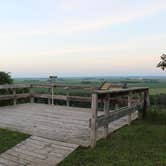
[(48, 95)]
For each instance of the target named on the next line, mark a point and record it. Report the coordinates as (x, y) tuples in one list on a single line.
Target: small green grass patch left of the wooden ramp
[(9, 139)]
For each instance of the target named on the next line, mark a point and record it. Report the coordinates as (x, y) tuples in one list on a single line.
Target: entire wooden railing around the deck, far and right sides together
[(102, 114)]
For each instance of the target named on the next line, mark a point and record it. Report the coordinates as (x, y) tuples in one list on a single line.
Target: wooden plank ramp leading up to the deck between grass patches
[(37, 151)]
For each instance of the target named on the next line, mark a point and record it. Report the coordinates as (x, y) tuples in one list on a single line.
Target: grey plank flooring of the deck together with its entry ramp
[(56, 131)]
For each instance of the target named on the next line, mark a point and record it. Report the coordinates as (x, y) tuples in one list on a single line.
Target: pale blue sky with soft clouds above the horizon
[(39, 38)]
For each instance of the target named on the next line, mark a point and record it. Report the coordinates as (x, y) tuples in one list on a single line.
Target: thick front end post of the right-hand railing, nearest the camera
[(94, 107)]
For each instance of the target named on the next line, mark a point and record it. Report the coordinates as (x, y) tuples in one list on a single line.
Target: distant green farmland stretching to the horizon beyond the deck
[(156, 85)]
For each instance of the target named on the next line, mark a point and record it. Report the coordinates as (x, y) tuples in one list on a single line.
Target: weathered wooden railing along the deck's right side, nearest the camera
[(134, 97)]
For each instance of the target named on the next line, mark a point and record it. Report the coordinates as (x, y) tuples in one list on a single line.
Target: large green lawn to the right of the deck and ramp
[(140, 144)]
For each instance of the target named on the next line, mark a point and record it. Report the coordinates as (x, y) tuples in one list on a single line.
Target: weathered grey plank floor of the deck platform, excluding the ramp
[(61, 123)]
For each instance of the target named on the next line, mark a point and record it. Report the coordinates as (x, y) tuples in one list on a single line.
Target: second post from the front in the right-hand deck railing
[(106, 113)]
